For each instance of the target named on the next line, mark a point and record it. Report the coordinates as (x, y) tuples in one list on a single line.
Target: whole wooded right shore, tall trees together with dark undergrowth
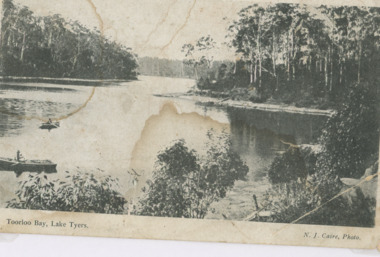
[(301, 54)]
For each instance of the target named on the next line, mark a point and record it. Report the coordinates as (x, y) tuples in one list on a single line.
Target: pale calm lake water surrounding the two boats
[(123, 126)]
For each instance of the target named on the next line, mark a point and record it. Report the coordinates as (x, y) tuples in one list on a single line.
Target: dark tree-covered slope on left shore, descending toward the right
[(51, 46)]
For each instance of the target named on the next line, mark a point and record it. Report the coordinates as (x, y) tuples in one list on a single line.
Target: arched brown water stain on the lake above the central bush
[(151, 128)]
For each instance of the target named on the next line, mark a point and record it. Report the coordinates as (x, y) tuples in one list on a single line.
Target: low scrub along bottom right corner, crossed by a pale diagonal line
[(305, 203)]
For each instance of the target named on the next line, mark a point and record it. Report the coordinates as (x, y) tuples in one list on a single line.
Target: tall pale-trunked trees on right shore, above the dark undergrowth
[(287, 40)]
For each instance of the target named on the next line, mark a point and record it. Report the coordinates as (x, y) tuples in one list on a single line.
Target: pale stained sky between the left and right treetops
[(150, 28)]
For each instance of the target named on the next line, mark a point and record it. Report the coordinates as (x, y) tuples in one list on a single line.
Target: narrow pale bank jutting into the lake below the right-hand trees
[(242, 104)]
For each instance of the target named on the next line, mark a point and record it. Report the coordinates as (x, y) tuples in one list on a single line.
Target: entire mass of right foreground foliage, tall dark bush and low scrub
[(349, 145)]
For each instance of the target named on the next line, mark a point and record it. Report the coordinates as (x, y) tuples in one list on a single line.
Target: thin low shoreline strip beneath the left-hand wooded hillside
[(63, 81)]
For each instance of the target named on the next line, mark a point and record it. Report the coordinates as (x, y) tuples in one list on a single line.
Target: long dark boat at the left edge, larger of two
[(19, 167)]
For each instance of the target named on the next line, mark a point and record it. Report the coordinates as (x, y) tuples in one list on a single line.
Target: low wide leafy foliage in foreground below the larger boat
[(80, 192)]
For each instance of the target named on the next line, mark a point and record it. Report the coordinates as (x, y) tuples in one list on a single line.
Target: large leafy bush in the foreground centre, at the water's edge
[(185, 184)]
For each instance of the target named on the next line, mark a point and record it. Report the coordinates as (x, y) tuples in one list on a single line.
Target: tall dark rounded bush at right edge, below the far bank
[(350, 138)]
